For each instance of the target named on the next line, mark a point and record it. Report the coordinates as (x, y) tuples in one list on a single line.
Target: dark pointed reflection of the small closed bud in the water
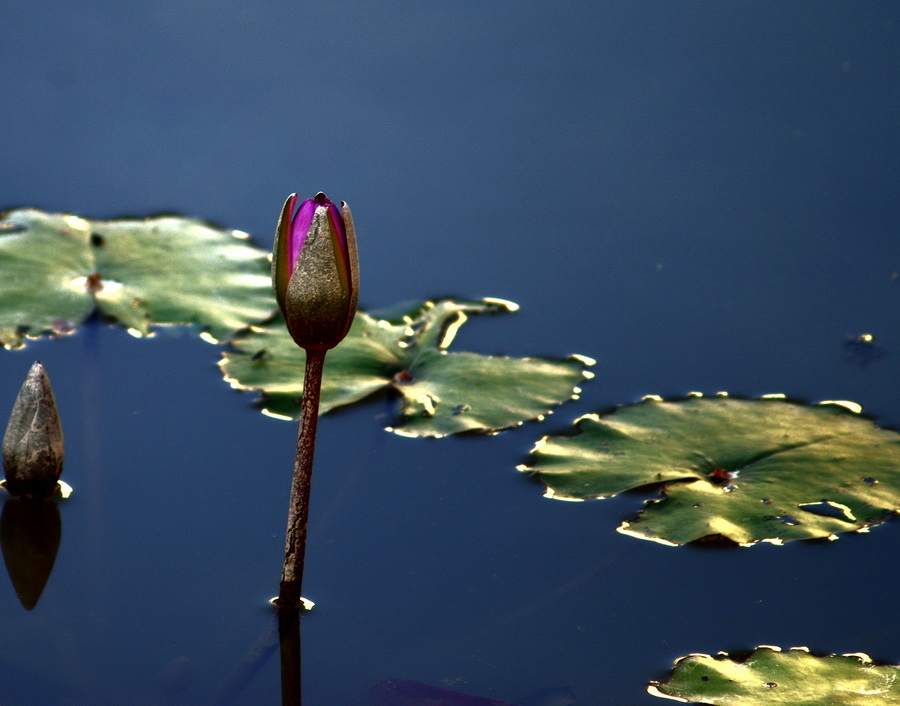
[(30, 532)]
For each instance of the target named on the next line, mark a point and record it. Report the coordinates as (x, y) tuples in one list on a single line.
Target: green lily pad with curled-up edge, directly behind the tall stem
[(441, 392)]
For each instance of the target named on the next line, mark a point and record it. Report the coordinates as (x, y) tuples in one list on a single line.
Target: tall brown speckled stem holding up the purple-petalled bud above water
[(298, 513)]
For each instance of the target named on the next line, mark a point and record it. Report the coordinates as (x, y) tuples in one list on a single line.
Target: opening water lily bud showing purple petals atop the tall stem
[(315, 271)]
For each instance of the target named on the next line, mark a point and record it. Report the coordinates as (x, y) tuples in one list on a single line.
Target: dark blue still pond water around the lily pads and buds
[(702, 196)]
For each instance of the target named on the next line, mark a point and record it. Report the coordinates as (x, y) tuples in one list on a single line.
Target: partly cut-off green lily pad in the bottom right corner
[(770, 676)]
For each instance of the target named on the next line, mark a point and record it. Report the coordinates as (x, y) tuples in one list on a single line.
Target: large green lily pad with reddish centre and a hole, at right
[(746, 470)]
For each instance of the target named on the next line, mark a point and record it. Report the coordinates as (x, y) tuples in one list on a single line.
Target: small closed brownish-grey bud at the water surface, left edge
[(33, 443)]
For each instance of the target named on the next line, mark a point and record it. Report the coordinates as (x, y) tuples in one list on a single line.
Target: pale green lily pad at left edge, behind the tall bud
[(56, 269)]
